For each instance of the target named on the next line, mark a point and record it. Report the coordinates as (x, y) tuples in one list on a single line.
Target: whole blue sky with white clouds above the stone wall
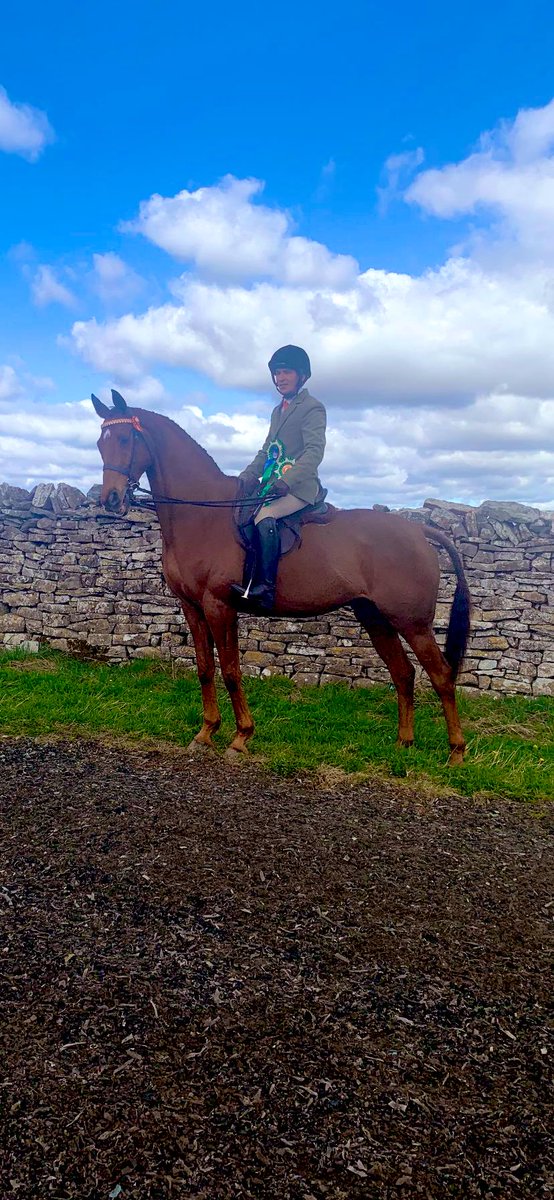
[(352, 119)]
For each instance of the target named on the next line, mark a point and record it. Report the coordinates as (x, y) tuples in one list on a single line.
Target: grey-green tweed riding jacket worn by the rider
[(302, 429)]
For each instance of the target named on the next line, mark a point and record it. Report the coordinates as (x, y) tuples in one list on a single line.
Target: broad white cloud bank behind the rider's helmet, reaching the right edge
[(394, 339)]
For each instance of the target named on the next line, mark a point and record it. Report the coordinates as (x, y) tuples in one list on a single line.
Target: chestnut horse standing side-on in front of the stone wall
[(378, 563)]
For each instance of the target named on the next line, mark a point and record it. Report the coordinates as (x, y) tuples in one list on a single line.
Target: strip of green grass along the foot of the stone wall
[(510, 739)]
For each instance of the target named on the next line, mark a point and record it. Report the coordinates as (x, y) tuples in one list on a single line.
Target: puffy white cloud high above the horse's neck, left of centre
[(227, 235)]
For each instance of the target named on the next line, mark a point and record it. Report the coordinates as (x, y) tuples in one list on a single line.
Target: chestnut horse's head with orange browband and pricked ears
[(125, 453)]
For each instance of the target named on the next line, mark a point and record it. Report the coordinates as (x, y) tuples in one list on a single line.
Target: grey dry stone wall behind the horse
[(89, 584)]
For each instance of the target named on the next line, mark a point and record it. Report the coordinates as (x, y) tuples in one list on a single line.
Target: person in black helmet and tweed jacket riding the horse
[(288, 465)]
